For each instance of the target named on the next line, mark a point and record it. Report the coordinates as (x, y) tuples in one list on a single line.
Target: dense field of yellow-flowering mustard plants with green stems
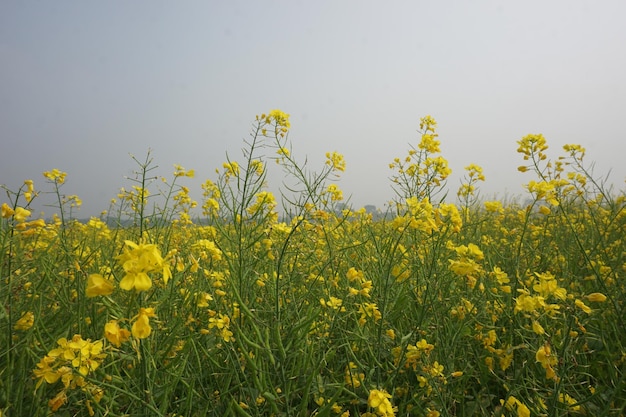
[(248, 303)]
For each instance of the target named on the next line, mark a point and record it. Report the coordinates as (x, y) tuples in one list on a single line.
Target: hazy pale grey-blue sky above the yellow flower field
[(84, 85)]
